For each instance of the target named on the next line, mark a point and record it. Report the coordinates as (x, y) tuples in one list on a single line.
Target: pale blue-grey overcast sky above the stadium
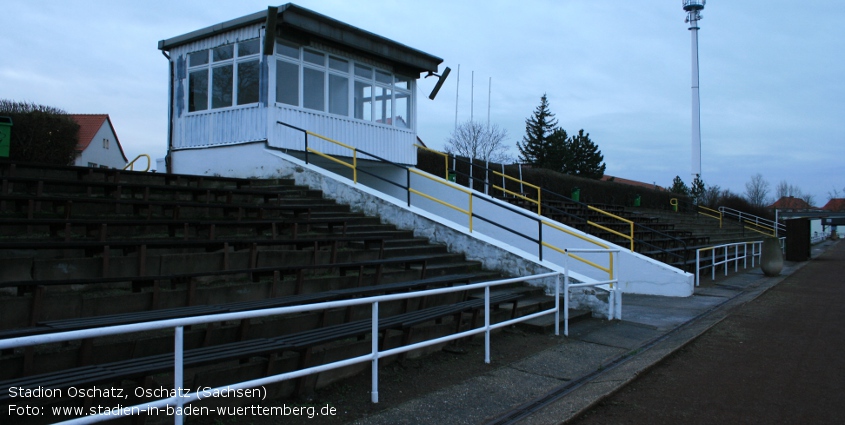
[(772, 74)]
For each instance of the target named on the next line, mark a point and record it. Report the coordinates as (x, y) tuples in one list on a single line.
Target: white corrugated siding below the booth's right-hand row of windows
[(387, 142)]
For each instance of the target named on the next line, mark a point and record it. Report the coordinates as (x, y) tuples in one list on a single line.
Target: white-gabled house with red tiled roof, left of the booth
[(98, 144)]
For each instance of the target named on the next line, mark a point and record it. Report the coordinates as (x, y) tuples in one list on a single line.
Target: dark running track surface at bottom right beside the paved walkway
[(780, 359)]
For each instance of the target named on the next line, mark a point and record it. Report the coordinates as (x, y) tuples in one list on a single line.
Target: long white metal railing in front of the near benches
[(178, 402)]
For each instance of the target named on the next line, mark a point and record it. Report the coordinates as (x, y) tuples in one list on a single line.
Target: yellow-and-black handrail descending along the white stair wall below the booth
[(470, 212)]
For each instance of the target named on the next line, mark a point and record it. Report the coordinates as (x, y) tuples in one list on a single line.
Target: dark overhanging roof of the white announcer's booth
[(300, 22)]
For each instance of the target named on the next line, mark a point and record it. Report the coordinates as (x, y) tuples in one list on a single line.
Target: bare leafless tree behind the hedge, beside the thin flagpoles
[(478, 141)]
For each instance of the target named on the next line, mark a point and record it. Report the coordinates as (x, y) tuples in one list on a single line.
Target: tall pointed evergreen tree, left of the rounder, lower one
[(536, 148)]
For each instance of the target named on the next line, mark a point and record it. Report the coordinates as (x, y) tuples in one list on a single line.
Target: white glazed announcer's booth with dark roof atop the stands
[(233, 83)]
